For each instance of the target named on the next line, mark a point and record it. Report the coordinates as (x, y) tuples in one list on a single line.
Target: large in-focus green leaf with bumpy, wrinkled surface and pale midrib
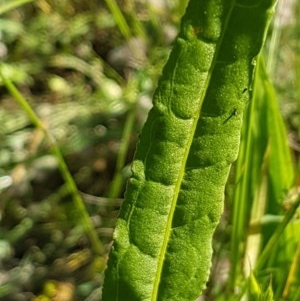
[(174, 199)]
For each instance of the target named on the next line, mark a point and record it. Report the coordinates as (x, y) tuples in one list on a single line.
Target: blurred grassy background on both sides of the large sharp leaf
[(88, 70)]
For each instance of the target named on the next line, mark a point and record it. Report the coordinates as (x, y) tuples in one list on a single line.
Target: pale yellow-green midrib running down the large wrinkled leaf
[(185, 157)]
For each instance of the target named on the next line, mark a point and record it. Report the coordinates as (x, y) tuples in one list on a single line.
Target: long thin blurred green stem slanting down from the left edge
[(78, 202)]
